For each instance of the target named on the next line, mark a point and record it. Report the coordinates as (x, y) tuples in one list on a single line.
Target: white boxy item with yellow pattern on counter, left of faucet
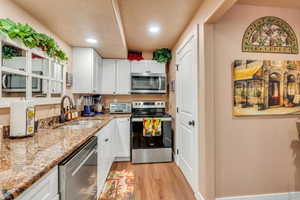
[(22, 118)]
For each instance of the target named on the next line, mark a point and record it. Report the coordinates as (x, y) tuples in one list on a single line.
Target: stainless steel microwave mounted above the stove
[(148, 83)]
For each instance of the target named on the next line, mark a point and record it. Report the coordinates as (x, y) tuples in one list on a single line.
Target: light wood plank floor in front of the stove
[(163, 181)]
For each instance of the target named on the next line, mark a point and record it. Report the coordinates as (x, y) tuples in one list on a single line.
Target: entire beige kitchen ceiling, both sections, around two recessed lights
[(118, 25)]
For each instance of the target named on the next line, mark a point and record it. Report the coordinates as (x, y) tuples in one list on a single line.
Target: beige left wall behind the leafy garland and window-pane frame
[(9, 10)]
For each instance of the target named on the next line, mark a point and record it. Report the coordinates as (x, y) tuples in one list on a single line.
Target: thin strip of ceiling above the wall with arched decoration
[(272, 3)]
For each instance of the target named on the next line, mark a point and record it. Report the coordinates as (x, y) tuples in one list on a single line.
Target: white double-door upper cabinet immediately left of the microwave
[(116, 76)]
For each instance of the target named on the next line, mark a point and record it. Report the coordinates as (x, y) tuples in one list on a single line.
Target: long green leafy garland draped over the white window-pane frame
[(31, 38)]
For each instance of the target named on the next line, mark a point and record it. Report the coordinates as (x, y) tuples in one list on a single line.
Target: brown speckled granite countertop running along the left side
[(24, 161)]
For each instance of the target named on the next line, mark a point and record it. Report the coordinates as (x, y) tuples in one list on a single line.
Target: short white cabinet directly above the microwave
[(147, 66)]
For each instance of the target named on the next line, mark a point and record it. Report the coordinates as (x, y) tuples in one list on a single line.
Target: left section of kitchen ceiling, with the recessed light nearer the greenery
[(76, 20)]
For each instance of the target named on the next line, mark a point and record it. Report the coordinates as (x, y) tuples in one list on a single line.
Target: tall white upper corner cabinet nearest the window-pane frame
[(86, 69)]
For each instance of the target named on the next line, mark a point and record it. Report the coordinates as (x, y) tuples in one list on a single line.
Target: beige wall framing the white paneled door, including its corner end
[(205, 84)]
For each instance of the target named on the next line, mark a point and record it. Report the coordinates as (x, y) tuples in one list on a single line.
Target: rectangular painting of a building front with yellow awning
[(266, 87)]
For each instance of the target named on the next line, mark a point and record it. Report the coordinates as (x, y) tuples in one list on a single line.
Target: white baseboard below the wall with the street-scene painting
[(275, 196)]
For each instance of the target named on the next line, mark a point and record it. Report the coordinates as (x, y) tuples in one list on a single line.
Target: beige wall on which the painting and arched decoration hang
[(256, 155)]
